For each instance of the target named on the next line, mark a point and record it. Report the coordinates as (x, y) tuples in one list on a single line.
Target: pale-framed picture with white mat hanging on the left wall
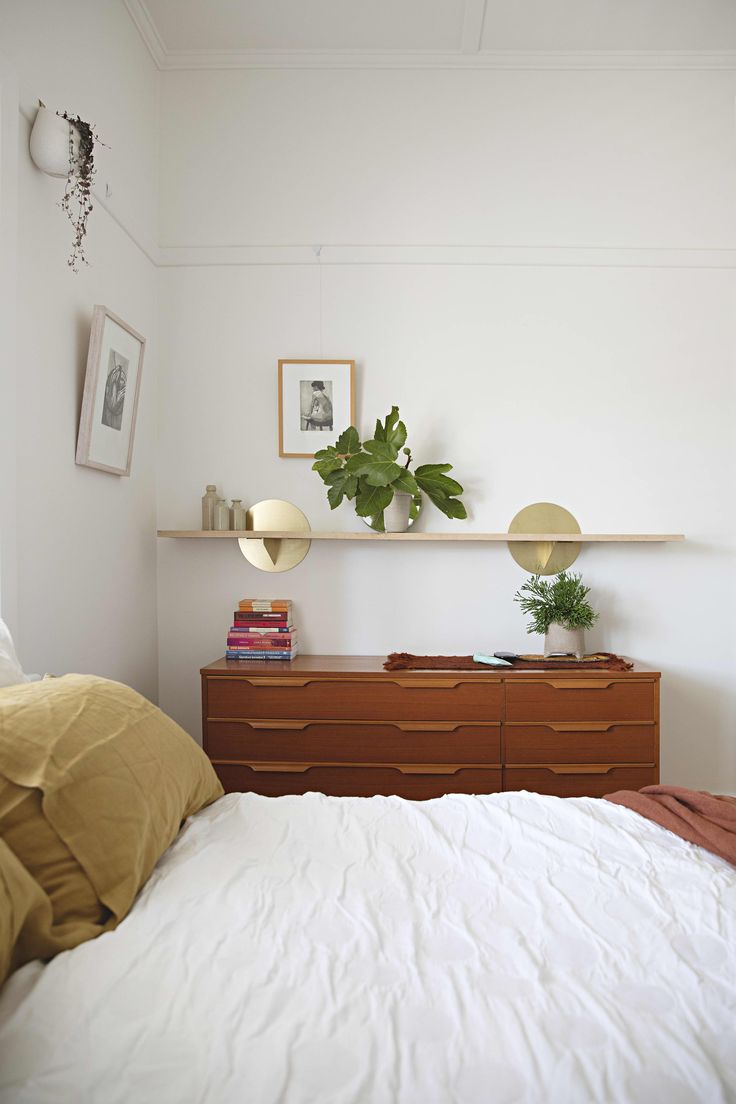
[(112, 386)]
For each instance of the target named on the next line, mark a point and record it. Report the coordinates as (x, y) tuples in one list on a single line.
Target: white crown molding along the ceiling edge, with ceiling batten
[(464, 59)]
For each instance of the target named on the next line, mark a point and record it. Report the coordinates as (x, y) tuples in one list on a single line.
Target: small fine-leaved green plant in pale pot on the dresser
[(560, 610)]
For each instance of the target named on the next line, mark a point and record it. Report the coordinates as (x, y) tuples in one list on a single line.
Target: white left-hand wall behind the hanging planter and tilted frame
[(86, 581)]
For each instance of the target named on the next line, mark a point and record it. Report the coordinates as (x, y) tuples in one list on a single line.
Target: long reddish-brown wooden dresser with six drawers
[(343, 726)]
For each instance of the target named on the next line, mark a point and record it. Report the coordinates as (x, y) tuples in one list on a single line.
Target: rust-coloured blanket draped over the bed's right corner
[(699, 818)]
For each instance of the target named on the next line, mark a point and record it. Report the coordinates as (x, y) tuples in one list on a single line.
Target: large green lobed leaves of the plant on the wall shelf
[(370, 473)]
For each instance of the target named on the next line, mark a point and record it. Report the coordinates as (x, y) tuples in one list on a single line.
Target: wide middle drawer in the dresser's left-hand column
[(367, 742)]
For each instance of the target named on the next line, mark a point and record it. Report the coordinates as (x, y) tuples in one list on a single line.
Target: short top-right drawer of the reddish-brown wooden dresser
[(581, 700)]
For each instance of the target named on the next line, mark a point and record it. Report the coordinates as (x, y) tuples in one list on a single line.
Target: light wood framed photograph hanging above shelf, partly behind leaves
[(316, 404)]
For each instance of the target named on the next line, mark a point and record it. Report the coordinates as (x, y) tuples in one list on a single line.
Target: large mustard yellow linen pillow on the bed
[(94, 785)]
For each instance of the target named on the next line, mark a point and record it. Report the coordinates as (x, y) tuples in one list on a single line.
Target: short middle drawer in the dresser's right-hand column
[(580, 742)]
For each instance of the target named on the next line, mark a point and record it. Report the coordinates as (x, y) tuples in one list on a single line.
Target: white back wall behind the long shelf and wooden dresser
[(534, 266)]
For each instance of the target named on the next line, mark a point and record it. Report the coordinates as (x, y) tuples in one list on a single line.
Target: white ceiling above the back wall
[(201, 27)]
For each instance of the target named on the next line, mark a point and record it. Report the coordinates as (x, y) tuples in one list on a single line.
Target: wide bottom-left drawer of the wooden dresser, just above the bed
[(347, 781)]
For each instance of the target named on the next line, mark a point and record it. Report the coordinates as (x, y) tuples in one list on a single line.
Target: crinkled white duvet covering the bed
[(461, 951)]
